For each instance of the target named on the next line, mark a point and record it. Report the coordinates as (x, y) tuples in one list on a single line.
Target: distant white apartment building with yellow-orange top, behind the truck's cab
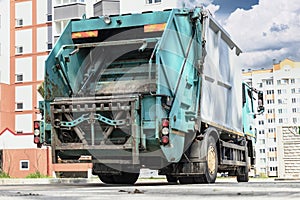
[(281, 87)]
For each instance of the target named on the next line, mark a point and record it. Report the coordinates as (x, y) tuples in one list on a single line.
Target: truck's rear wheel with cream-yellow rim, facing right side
[(211, 165)]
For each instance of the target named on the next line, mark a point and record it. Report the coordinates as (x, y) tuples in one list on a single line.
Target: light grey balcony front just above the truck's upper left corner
[(69, 11)]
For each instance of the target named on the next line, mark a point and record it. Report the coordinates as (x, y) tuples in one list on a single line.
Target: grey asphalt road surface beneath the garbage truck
[(155, 189)]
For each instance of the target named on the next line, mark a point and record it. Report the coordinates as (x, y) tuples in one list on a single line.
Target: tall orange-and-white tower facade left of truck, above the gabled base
[(23, 24)]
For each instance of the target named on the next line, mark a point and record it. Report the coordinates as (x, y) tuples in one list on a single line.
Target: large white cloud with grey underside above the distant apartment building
[(270, 30)]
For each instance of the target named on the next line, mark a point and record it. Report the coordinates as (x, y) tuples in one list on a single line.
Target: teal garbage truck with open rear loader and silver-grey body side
[(159, 90)]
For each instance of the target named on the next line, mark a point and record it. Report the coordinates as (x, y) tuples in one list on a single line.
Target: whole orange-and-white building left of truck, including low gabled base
[(26, 39)]
